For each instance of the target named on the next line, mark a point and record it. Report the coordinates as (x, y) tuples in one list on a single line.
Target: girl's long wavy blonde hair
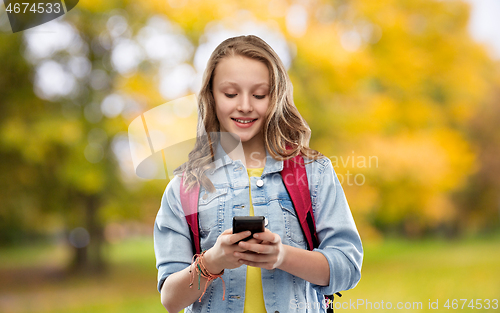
[(286, 133)]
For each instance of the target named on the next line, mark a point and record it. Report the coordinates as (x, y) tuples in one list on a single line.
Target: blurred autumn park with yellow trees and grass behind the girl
[(398, 94)]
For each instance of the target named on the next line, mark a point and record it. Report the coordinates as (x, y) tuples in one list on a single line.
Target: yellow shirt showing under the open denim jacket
[(254, 296)]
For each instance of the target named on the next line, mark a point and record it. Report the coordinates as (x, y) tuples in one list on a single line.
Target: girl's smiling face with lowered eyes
[(241, 93)]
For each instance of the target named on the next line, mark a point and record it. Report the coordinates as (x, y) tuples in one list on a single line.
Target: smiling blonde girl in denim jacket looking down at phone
[(248, 124)]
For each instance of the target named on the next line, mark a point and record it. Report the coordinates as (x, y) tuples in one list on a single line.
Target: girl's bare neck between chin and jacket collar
[(252, 153)]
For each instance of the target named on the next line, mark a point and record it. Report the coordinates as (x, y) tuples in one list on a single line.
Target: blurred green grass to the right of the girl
[(422, 271)]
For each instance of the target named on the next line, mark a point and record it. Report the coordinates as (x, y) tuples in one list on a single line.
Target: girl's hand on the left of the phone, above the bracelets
[(222, 254)]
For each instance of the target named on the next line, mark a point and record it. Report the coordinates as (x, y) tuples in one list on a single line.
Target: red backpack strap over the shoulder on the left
[(189, 202)]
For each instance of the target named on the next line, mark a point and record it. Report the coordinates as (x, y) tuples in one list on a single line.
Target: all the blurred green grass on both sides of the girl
[(31, 278)]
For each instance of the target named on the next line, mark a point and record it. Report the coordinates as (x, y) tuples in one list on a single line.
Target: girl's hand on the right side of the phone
[(269, 254)]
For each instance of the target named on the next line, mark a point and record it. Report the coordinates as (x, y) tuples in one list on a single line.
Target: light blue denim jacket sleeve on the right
[(339, 239)]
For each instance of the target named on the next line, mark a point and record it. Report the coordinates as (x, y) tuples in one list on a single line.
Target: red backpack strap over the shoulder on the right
[(295, 178)]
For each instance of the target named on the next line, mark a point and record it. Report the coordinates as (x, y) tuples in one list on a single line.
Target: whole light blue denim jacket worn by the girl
[(283, 292)]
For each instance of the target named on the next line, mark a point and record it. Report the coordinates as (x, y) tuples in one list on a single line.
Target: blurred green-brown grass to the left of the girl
[(33, 280)]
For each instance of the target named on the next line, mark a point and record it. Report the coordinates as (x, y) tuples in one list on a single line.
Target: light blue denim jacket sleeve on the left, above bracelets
[(172, 241)]
